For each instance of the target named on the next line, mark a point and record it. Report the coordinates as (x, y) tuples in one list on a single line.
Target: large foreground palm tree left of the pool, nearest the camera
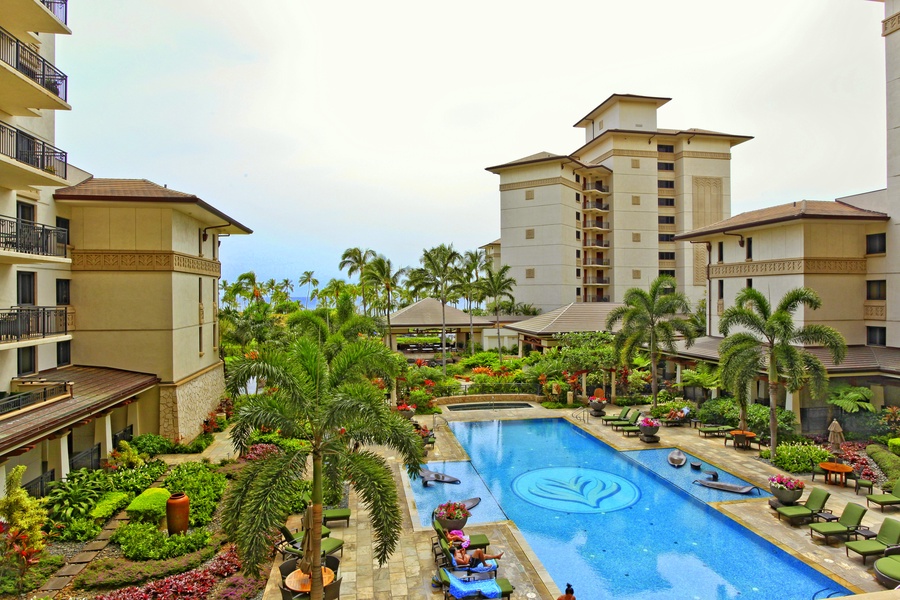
[(333, 406)]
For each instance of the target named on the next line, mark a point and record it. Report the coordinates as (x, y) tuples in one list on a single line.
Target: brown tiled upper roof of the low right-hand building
[(804, 209)]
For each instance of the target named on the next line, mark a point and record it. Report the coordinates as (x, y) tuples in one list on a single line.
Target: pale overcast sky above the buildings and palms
[(326, 125)]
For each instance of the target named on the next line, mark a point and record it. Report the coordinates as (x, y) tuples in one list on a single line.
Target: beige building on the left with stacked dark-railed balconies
[(112, 284)]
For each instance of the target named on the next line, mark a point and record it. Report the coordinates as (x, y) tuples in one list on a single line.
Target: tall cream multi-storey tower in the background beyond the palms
[(588, 225)]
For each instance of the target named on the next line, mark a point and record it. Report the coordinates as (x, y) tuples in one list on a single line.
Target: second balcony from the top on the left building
[(27, 80)]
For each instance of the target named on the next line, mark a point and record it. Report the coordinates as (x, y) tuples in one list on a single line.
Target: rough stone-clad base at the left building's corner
[(184, 407)]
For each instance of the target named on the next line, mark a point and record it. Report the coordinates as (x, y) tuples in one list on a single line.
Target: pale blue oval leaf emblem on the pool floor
[(576, 490)]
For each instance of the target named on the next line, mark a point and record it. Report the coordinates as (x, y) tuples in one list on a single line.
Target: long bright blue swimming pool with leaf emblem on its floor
[(600, 520)]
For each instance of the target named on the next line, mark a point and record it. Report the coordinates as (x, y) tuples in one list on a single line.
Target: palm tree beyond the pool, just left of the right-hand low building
[(649, 319)]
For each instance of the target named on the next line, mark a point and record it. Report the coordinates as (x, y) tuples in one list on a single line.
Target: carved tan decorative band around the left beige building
[(114, 260)]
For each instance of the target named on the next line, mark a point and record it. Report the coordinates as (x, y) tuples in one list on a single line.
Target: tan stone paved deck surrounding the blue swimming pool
[(408, 574)]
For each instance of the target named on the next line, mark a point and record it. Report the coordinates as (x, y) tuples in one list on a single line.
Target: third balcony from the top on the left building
[(27, 161)]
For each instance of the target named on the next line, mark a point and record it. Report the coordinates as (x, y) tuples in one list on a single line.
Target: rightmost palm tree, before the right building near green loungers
[(766, 343)]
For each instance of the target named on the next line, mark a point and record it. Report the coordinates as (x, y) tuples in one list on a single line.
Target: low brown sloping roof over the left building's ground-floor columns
[(95, 389)]
